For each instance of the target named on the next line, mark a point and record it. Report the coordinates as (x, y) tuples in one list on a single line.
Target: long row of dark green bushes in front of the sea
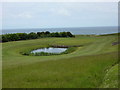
[(32, 35)]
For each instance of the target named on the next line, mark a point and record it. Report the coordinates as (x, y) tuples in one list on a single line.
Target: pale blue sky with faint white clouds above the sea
[(58, 14)]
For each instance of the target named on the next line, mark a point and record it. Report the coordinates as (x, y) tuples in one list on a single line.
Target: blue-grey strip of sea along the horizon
[(81, 30)]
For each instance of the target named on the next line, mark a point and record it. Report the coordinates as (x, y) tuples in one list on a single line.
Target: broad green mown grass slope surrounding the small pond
[(83, 68)]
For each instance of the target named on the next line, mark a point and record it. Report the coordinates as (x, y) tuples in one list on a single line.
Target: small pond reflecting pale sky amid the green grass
[(50, 50)]
